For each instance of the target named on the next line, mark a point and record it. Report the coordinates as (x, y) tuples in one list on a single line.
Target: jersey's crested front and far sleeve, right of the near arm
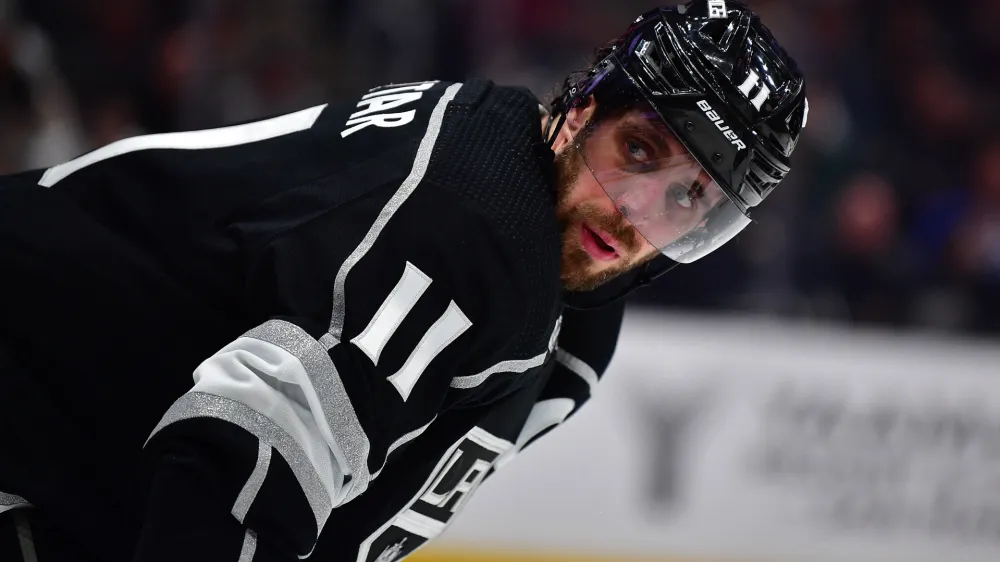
[(420, 493)]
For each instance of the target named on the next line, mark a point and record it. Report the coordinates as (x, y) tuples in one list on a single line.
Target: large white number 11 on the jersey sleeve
[(390, 315)]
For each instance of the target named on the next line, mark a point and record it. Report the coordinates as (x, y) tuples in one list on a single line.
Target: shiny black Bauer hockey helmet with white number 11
[(716, 78)]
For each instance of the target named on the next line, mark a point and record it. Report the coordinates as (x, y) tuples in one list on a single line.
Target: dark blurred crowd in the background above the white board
[(891, 216)]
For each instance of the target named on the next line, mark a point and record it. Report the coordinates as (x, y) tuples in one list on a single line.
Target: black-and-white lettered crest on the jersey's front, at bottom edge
[(446, 492)]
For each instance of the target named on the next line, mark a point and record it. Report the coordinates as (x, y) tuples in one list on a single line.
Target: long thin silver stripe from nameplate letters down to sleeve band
[(420, 165)]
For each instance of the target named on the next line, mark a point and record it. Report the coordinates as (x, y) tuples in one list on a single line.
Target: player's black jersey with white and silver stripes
[(367, 296)]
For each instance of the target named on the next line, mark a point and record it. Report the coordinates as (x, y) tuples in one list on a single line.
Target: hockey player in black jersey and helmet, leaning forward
[(380, 303)]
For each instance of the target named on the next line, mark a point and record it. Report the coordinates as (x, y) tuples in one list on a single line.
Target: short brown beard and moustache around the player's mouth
[(575, 259)]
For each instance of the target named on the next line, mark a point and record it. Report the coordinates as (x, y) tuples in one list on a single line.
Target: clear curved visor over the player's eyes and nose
[(659, 187)]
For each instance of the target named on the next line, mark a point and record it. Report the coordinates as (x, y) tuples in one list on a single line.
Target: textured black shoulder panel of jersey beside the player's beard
[(491, 157)]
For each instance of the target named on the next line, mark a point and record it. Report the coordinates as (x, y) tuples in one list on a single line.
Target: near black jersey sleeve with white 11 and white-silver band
[(360, 340)]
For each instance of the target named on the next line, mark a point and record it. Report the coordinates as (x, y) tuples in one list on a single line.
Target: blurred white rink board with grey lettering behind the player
[(728, 439)]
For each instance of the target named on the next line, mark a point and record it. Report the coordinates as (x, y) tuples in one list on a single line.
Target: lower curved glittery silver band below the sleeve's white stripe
[(195, 405)]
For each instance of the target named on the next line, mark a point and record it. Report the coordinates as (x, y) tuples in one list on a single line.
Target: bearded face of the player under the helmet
[(632, 175)]
